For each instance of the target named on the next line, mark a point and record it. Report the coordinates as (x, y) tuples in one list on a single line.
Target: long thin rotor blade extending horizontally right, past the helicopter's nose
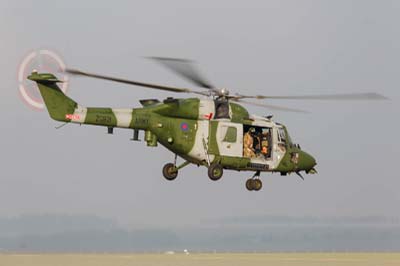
[(336, 97)]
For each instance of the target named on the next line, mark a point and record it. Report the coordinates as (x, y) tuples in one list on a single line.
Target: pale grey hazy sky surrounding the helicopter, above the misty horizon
[(253, 47)]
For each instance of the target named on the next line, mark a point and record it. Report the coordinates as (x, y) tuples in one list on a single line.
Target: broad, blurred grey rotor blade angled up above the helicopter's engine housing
[(186, 69)]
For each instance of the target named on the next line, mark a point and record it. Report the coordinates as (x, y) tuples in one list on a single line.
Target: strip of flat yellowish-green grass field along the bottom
[(222, 259)]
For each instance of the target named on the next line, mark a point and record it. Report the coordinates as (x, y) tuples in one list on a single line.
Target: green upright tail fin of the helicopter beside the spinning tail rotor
[(58, 104)]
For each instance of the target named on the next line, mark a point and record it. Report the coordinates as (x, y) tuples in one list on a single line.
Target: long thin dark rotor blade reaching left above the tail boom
[(131, 82)]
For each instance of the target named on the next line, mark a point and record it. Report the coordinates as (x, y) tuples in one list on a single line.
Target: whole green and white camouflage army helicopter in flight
[(214, 131)]
